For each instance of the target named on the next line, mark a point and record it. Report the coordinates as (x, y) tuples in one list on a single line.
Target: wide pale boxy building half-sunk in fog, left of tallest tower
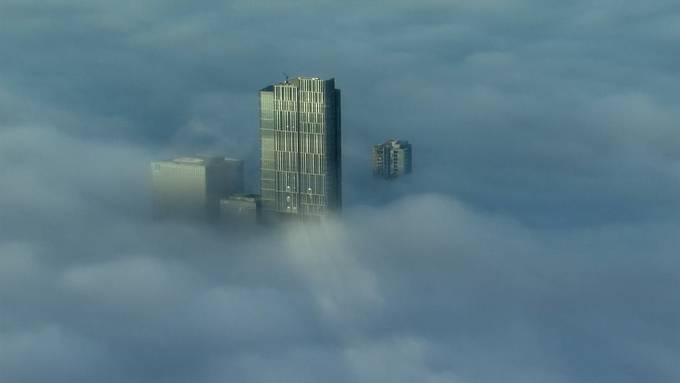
[(191, 187)]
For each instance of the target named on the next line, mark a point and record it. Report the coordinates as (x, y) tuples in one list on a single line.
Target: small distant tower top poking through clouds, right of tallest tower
[(392, 159)]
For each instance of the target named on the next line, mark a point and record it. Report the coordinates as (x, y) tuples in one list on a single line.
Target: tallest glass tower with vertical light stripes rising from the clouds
[(301, 173)]
